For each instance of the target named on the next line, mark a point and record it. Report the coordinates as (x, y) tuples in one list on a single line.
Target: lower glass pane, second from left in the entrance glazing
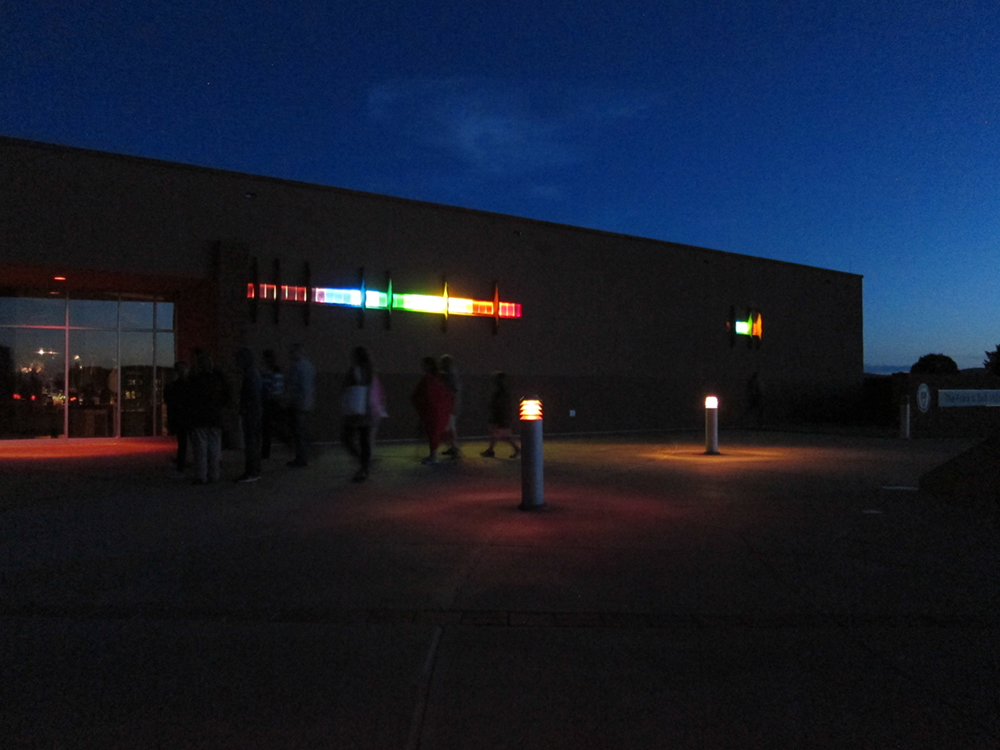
[(93, 383)]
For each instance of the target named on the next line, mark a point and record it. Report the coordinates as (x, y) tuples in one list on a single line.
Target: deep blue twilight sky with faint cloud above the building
[(857, 135)]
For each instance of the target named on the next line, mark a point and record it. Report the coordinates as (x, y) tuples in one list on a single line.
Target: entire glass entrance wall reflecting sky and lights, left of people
[(115, 373)]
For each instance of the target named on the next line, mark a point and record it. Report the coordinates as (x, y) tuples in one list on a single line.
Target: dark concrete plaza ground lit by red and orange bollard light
[(795, 591)]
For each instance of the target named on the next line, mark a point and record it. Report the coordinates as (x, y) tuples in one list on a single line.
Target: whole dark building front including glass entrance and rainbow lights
[(112, 267)]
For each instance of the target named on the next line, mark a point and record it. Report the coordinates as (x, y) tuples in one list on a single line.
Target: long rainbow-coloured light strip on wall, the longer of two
[(370, 299)]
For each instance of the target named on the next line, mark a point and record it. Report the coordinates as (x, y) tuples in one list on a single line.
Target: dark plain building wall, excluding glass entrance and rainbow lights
[(628, 332)]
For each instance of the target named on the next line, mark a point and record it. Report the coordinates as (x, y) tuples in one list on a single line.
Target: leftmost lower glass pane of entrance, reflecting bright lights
[(32, 383)]
